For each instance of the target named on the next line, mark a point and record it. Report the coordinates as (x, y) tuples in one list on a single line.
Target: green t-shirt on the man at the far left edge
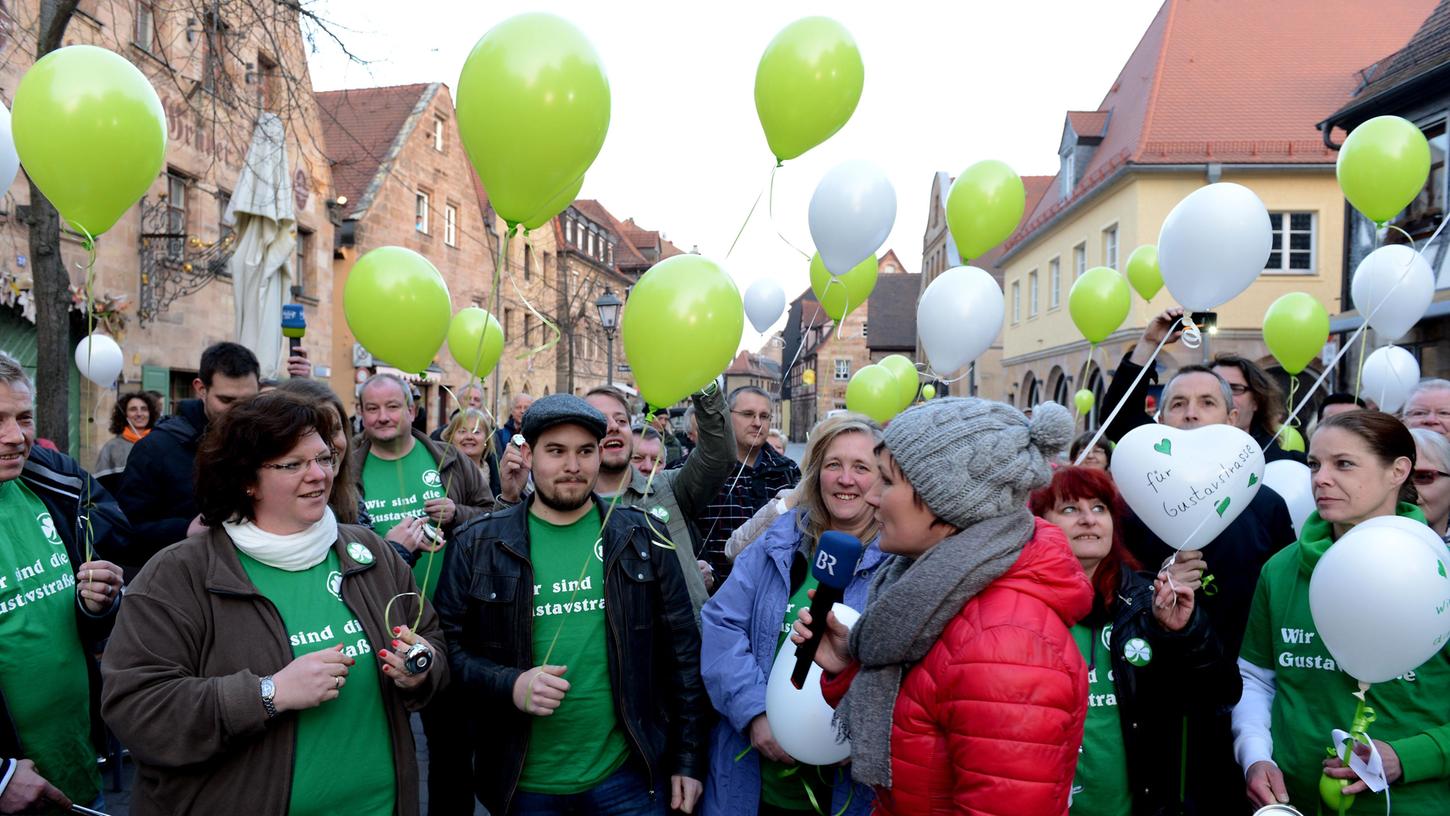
[(43, 663)]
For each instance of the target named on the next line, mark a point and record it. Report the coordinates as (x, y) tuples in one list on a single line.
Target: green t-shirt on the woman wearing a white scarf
[(344, 752)]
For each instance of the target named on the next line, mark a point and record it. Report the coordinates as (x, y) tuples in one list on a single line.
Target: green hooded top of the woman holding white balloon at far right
[(1313, 696)]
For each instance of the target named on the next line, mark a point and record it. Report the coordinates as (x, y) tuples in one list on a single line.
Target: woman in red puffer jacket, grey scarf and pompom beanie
[(961, 686)]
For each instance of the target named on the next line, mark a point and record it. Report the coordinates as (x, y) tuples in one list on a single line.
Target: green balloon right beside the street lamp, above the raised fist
[(682, 327)]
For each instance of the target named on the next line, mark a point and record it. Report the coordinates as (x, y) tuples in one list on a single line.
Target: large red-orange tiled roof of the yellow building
[(1236, 83)]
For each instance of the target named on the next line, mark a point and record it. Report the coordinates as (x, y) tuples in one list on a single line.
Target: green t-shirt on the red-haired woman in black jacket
[(1101, 782)]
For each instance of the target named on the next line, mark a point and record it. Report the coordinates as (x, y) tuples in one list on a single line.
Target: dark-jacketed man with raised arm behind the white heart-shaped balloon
[(1225, 573)]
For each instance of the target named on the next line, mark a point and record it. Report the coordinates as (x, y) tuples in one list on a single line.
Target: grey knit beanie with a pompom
[(972, 460)]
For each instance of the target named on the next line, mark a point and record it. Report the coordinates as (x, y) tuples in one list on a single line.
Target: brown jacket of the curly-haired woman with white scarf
[(183, 670)]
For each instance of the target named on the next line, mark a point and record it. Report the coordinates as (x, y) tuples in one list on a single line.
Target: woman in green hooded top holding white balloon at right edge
[(1294, 692)]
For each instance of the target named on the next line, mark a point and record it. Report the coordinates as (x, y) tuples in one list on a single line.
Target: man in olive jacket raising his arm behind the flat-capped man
[(676, 496)]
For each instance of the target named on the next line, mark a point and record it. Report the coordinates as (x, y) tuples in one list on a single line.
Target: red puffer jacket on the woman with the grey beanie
[(991, 720)]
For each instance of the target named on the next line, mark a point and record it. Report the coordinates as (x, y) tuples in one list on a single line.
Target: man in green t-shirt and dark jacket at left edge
[(57, 605)]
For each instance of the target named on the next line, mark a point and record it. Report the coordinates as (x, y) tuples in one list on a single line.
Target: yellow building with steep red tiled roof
[(1210, 95)]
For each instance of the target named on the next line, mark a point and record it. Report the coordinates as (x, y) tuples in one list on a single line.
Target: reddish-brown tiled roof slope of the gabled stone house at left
[(362, 130)]
